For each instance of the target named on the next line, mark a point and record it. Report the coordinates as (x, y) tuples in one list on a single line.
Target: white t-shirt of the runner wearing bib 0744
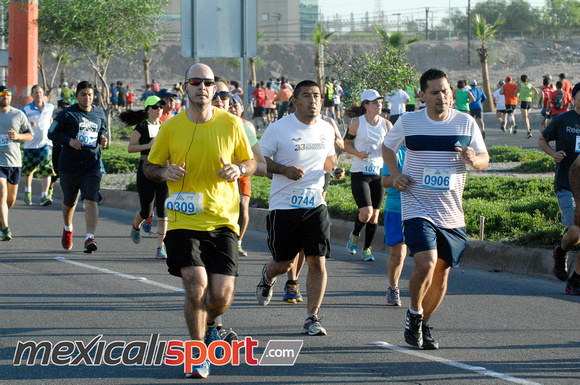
[(290, 142)]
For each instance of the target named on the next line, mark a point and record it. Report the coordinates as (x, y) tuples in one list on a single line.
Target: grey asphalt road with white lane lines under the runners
[(493, 328)]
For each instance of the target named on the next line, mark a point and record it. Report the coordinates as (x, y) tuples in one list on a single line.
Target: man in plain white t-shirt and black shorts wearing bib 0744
[(299, 148)]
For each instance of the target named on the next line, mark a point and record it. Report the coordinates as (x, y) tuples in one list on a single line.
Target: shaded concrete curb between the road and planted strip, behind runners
[(490, 256)]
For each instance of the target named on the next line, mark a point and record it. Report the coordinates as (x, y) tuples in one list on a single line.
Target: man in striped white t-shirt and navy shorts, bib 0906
[(440, 142)]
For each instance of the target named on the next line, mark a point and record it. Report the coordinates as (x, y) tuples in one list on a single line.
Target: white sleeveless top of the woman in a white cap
[(369, 139)]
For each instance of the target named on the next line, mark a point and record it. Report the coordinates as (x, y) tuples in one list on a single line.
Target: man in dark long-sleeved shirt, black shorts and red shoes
[(80, 129)]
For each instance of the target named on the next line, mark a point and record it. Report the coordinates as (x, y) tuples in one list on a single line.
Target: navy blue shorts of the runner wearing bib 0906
[(423, 235)]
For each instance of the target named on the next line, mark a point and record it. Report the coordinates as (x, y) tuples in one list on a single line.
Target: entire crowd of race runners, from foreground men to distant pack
[(197, 156)]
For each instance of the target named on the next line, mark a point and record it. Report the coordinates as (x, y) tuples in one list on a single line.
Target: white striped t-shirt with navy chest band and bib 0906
[(430, 159)]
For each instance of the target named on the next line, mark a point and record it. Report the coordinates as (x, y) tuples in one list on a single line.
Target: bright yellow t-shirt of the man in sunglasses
[(200, 146)]
